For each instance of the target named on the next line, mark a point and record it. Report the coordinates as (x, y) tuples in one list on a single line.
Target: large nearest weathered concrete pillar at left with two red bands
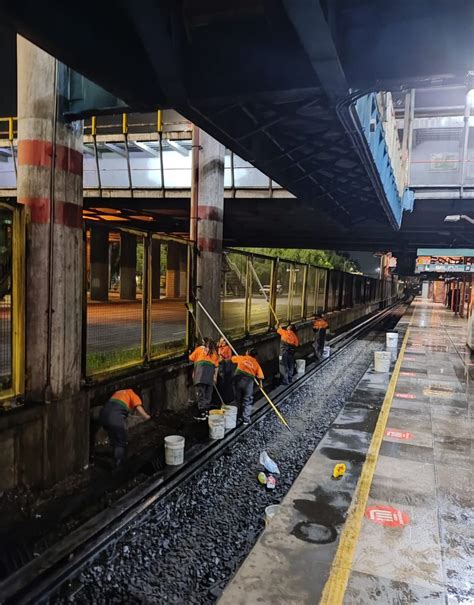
[(50, 187)]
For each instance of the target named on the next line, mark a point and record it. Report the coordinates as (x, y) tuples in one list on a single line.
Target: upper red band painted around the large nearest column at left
[(39, 153)]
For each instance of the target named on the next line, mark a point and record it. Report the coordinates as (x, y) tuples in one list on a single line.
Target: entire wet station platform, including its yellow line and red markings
[(398, 526)]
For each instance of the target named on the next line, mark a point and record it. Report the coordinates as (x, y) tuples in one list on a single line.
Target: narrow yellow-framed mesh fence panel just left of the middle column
[(169, 282)]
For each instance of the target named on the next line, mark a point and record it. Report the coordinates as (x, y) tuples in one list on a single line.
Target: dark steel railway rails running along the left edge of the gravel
[(43, 576)]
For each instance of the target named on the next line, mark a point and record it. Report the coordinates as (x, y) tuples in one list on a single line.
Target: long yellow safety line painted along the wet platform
[(335, 588)]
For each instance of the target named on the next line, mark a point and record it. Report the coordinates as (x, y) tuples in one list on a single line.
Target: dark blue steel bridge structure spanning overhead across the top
[(275, 83)]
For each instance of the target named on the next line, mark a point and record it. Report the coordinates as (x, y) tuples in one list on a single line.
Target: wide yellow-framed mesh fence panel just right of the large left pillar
[(114, 299)]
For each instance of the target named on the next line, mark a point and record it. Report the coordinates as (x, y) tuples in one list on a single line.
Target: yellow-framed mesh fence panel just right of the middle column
[(234, 275)]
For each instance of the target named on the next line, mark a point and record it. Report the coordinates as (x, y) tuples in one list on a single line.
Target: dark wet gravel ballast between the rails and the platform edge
[(187, 547)]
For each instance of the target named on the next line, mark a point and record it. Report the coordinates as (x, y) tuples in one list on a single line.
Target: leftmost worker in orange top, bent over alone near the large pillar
[(113, 417)]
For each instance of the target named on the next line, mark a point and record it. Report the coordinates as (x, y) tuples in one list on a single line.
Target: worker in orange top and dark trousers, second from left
[(206, 363)]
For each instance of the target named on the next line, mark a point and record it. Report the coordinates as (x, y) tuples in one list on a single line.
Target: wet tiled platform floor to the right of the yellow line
[(425, 471)]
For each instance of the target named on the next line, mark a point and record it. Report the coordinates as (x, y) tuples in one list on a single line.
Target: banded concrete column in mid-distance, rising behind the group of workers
[(210, 211)]
